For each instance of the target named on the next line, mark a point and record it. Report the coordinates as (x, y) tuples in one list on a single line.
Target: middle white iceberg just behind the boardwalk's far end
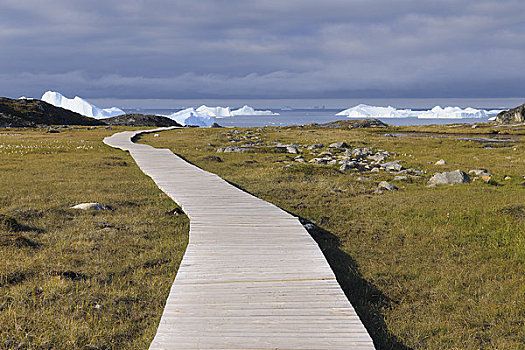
[(205, 116)]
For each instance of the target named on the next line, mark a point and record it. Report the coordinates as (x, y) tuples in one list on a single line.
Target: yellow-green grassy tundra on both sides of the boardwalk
[(426, 268)]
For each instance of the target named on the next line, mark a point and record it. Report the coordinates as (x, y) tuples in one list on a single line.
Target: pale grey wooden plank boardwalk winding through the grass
[(252, 277)]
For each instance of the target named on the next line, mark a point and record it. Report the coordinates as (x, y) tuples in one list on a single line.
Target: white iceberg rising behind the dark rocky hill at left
[(80, 106)]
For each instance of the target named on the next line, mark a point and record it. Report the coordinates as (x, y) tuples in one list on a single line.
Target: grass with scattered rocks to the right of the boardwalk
[(426, 268)]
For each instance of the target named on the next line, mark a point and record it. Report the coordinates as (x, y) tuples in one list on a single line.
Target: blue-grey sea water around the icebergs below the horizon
[(300, 112)]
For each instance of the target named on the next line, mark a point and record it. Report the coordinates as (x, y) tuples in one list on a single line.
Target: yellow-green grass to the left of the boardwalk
[(72, 279)]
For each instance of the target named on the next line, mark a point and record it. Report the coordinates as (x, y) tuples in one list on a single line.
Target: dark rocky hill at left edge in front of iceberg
[(21, 113)]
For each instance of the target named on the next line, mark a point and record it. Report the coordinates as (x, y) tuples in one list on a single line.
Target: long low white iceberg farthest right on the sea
[(365, 111)]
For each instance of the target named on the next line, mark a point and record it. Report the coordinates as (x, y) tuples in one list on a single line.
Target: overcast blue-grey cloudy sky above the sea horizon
[(178, 49)]
